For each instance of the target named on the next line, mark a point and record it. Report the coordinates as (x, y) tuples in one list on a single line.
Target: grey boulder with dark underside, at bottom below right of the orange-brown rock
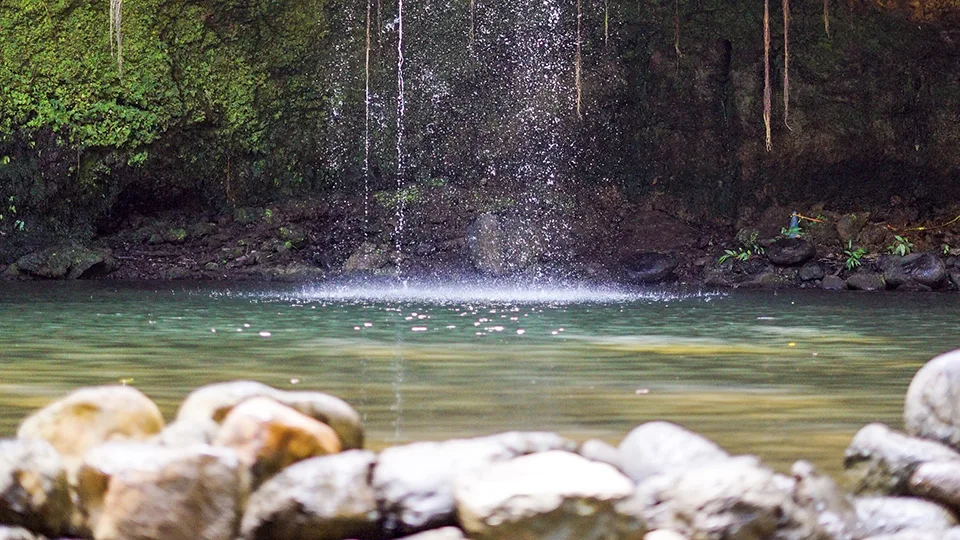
[(322, 498)]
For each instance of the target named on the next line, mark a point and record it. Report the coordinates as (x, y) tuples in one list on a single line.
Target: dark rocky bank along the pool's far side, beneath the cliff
[(455, 233)]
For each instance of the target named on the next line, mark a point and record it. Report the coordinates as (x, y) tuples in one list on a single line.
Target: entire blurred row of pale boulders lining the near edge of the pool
[(245, 460)]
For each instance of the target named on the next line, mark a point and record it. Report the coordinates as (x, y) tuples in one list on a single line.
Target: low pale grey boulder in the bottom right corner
[(889, 515)]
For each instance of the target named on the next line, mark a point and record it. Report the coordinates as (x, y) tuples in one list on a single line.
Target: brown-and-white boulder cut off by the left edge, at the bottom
[(34, 492)]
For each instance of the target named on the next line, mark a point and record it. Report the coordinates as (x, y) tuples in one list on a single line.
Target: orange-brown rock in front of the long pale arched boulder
[(268, 436)]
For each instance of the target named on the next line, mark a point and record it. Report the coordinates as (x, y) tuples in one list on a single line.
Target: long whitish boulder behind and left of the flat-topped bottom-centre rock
[(414, 482)]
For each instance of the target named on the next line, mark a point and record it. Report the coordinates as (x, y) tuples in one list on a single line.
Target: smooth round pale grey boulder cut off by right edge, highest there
[(931, 409)]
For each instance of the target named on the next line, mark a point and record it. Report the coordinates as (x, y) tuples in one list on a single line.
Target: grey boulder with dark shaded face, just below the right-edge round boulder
[(881, 460)]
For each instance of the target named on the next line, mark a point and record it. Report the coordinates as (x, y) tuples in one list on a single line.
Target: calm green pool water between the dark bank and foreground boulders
[(785, 375)]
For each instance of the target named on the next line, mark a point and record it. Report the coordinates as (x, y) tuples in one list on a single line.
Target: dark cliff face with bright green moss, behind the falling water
[(235, 101)]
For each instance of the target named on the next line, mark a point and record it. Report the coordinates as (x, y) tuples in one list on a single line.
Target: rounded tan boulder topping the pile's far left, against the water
[(91, 416)]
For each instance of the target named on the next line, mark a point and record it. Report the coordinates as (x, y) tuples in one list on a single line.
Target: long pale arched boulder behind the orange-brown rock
[(215, 401)]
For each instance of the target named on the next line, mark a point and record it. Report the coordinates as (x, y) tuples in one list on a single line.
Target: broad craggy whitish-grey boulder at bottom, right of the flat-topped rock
[(735, 499)]
